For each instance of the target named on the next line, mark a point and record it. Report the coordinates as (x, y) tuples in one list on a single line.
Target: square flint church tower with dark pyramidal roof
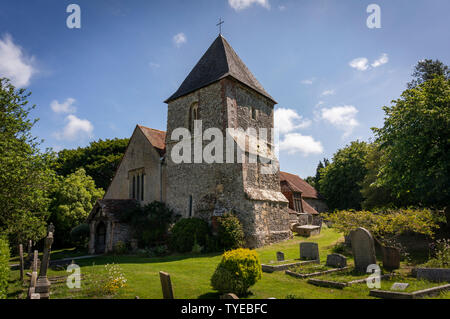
[(222, 93)]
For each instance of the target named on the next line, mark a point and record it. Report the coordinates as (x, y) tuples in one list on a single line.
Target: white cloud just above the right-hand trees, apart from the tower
[(342, 117)]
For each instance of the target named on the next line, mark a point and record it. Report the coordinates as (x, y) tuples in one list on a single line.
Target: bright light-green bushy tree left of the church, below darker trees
[(72, 202)]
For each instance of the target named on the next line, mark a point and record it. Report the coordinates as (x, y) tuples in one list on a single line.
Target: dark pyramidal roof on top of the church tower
[(218, 62)]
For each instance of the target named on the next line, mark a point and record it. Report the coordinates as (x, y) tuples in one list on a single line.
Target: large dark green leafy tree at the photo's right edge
[(415, 144)]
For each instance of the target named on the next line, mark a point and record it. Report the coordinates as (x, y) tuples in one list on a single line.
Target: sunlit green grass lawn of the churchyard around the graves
[(191, 275)]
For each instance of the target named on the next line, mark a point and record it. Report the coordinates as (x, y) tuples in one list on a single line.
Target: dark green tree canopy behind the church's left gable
[(100, 160)]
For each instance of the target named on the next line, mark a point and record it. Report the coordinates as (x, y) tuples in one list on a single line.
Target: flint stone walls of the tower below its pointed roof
[(226, 187)]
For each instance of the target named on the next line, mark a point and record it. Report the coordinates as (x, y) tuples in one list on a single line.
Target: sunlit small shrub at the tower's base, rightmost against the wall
[(230, 232)]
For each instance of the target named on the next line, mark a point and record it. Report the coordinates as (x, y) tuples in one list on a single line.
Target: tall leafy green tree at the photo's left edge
[(25, 177)]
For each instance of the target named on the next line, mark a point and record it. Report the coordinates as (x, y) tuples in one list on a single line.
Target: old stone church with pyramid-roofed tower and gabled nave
[(222, 93)]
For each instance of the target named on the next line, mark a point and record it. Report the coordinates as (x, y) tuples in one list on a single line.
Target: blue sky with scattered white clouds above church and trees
[(328, 71)]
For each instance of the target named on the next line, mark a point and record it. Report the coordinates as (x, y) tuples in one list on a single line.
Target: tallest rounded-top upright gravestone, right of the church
[(363, 249)]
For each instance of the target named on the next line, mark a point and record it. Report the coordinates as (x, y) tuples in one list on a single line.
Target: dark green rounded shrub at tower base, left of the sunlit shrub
[(186, 231)]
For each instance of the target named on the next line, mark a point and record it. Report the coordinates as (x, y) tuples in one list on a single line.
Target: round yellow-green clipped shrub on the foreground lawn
[(238, 270)]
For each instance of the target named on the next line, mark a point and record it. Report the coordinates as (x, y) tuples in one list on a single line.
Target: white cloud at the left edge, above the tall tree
[(14, 64)]
